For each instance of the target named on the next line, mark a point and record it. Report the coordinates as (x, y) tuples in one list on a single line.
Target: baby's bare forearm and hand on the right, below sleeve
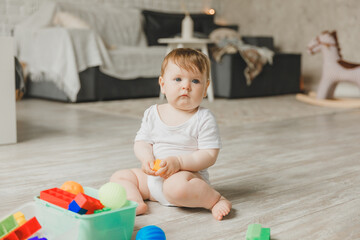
[(194, 162)]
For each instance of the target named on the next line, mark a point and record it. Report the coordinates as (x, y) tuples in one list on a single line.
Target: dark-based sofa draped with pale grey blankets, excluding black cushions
[(77, 54)]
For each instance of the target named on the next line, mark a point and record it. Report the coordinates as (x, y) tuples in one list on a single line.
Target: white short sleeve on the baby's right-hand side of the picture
[(209, 136)]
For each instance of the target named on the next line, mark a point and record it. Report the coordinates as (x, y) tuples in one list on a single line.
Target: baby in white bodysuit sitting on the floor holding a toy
[(183, 135)]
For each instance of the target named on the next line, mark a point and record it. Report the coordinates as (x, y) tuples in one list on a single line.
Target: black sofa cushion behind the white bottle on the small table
[(166, 25)]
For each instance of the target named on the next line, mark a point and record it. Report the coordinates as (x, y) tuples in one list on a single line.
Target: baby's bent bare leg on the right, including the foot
[(187, 189)]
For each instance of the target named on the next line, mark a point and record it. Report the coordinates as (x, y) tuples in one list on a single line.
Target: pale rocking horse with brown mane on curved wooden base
[(335, 70)]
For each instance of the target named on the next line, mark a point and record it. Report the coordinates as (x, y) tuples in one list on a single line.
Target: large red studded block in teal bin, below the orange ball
[(57, 196)]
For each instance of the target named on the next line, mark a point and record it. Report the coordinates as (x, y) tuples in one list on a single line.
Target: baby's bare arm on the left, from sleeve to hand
[(144, 152)]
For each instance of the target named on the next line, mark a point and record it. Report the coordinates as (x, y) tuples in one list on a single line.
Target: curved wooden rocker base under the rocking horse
[(334, 103)]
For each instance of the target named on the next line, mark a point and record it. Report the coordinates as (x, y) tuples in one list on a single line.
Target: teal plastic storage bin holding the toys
[(59, 222)]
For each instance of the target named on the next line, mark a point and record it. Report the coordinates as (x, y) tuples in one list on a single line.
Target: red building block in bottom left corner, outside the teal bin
[(24, 231)]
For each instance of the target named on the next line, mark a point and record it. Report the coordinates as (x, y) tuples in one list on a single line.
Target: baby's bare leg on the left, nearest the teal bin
[(135, 183)]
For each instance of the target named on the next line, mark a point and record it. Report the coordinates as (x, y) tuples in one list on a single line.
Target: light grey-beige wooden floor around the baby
[(298, 176)]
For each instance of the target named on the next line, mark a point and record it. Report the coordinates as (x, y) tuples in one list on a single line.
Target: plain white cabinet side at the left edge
[(7, 91)]
